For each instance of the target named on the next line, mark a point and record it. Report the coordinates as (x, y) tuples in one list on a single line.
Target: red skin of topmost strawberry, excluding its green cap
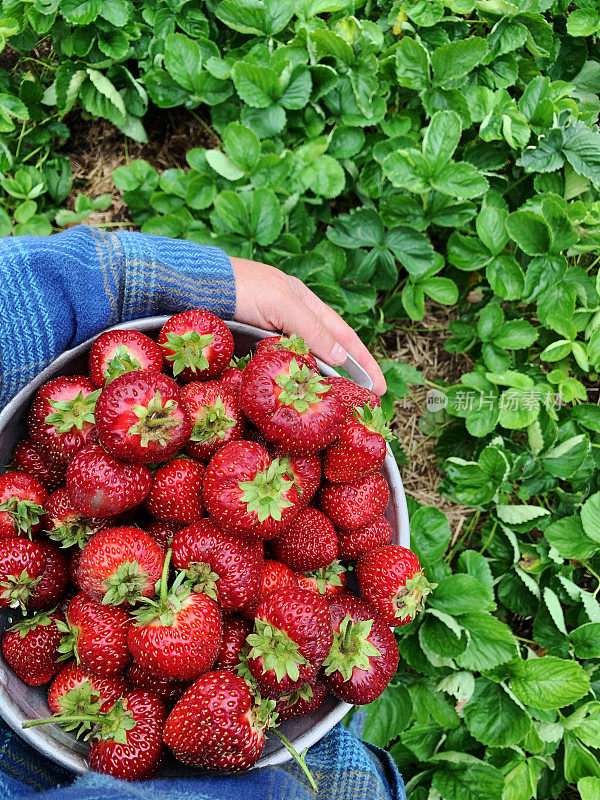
[(218, 353)]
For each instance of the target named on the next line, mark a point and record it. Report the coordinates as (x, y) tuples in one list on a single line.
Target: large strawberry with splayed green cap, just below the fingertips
[(290, 403)]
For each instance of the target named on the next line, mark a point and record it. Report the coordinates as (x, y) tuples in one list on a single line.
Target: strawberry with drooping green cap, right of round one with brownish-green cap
[(216, 418)]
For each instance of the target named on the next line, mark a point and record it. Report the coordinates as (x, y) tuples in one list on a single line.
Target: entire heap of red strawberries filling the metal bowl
[(183, 523)]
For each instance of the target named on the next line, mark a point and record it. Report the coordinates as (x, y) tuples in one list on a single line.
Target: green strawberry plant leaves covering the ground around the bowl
[(387, 153)]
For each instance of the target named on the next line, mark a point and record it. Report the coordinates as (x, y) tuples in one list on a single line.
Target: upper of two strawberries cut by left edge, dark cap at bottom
[(21, 505)]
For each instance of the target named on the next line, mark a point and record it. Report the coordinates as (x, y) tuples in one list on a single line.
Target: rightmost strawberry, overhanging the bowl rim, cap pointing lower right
[(392, 580)]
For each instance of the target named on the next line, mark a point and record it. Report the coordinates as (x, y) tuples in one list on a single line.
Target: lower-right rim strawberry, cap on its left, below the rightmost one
[(364, 654)]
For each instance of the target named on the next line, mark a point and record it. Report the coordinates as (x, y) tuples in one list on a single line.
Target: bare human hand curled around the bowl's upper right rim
[(270, 299)]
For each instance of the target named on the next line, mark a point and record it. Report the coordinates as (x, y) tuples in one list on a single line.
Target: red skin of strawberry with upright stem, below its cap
[(184, 650)]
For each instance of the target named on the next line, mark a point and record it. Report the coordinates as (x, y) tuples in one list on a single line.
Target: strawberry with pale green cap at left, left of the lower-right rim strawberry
[(292, 638)]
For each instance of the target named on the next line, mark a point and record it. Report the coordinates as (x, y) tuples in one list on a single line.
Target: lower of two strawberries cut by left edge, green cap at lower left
[(22, 564)]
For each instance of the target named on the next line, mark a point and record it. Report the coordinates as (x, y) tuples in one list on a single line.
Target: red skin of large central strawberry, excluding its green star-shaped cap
[(241, 462)]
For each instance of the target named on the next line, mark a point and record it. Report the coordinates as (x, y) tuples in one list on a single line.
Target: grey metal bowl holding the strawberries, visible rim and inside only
[(19, 702)]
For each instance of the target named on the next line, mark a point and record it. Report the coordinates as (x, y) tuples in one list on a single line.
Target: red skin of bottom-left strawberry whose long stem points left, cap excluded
[(140, 757)]
